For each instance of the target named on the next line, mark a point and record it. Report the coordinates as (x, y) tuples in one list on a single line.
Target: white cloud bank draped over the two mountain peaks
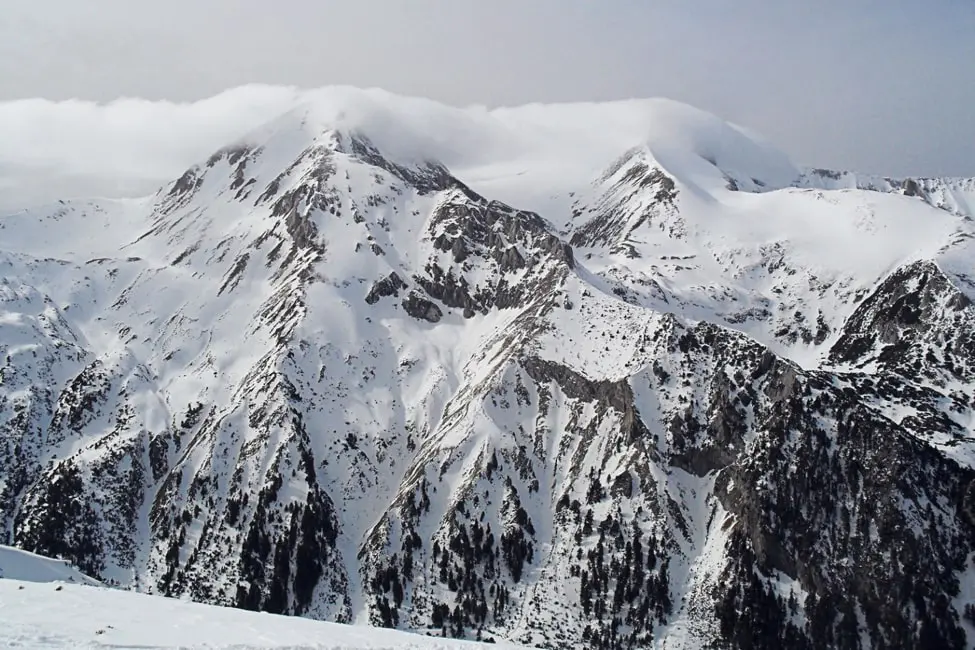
[(131, 147)]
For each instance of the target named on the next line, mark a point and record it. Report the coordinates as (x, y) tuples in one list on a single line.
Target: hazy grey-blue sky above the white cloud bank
[(880, 86)]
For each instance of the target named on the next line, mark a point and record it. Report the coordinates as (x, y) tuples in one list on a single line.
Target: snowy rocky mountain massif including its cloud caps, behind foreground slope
[(608, 376)]
